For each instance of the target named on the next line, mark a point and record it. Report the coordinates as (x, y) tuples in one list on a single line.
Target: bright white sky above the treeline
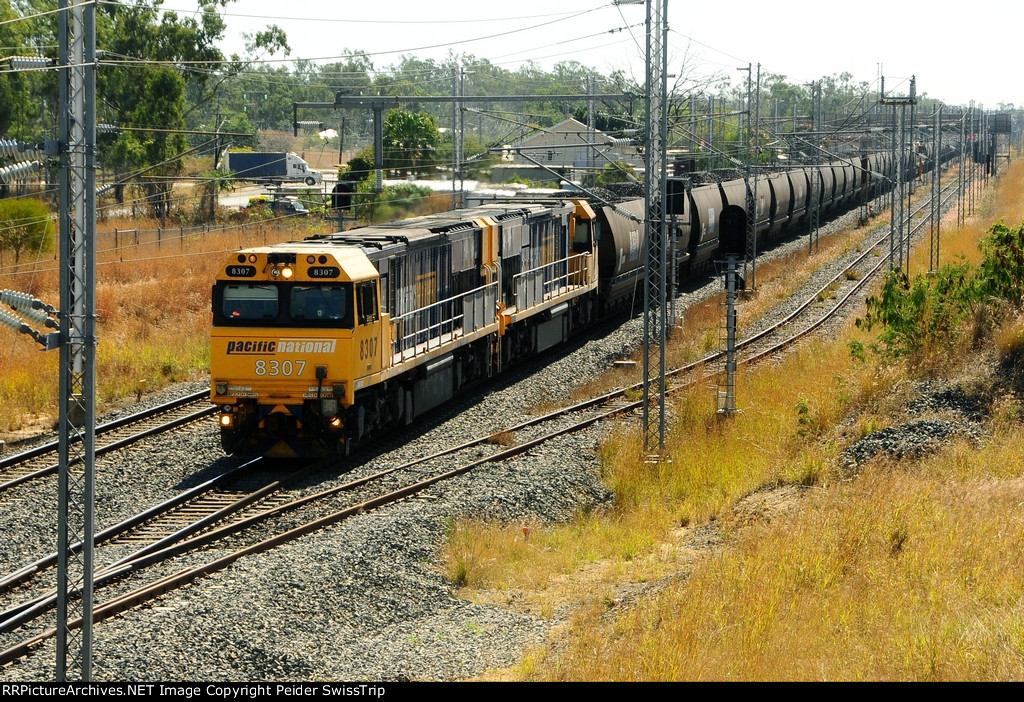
[(799, 39)]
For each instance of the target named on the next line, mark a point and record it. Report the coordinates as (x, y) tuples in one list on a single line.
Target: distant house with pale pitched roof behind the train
[(571, 149)]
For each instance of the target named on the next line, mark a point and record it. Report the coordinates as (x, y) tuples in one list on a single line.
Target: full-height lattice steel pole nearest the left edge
[(77, 151)]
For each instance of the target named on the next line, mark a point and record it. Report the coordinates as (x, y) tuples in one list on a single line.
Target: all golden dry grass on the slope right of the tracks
[(910, 572)]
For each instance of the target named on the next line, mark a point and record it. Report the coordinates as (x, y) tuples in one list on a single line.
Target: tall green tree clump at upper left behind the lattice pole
[(158, 67)]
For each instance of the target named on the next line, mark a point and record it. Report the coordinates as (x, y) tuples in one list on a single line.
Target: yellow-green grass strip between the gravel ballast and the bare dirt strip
[(772, 443)]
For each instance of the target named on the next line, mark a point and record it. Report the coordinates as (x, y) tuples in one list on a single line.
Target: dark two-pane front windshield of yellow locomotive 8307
[(284, 305)]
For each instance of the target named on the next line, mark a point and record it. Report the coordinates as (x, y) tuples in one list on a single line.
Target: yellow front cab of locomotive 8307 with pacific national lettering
[(293, 336)]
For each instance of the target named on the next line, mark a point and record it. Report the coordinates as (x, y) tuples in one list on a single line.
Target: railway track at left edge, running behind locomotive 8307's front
[(42, 461)]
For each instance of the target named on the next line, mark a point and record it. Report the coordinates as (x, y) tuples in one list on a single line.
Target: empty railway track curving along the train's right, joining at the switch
[(314, 512)]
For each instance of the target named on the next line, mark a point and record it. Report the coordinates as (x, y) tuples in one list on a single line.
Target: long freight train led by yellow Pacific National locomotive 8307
[(320, 344)]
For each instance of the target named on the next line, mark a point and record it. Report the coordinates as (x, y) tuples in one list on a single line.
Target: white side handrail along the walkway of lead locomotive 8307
[(426, 328)]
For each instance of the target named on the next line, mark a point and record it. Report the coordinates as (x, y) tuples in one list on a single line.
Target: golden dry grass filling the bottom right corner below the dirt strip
[(899, 577)]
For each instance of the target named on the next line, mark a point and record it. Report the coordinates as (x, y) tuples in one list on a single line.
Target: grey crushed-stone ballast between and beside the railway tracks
[(361, 600)]
